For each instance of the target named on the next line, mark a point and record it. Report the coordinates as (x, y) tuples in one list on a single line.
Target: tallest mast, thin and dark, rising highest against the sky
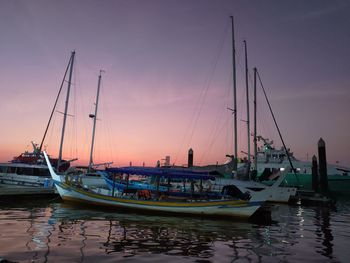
[(234, 95)]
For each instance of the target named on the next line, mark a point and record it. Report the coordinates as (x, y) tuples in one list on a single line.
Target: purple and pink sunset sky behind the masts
[(168, 76)]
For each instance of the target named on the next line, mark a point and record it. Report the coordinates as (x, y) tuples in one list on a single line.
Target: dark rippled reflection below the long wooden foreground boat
[(134, 234)]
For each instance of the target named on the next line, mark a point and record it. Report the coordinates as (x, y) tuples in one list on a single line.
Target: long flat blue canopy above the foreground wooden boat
[(163, 172)]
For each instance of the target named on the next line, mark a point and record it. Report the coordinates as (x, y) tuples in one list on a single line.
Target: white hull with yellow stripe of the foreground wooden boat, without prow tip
[(229, 208)]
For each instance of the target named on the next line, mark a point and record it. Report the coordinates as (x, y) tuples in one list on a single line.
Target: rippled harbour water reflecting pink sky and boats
[(43, 231)]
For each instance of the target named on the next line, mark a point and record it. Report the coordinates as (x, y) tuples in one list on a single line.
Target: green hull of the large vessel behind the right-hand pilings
[(338, 184)]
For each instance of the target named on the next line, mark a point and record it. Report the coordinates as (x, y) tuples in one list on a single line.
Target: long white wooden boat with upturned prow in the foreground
[(226, 205)]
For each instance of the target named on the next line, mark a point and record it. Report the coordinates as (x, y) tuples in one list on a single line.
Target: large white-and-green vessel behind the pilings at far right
[(270, 160)]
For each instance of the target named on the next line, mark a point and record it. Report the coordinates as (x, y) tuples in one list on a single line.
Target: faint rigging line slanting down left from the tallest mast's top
[(201, 99)]
